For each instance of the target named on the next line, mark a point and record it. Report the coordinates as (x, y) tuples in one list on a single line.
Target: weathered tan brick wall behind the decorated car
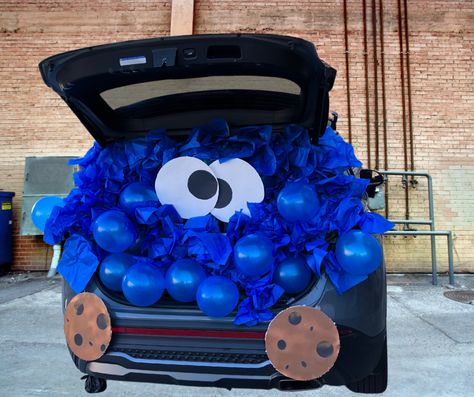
[(33, 121)]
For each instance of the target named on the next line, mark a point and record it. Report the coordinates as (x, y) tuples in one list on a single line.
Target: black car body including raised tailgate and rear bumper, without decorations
[(123, 90)]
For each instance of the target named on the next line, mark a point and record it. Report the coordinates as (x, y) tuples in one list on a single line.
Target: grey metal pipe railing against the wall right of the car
[(430, 222)]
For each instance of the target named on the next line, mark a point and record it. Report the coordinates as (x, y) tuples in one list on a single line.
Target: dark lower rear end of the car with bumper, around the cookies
[(185, 347)]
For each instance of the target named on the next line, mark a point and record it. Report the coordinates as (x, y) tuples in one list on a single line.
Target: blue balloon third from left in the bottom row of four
[(183, 279)]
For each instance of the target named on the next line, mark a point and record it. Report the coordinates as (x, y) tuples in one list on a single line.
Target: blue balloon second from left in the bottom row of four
[(143, 284)]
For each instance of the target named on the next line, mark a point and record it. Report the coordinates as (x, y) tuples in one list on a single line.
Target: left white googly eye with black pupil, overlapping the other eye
[(189, 185)]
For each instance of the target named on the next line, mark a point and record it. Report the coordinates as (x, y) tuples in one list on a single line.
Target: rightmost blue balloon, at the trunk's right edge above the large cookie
[(358, 252)]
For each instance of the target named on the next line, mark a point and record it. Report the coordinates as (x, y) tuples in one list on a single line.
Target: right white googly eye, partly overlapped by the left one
[(239, 184)]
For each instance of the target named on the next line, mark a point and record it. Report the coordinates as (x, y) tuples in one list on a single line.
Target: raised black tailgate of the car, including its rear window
[(126, 89)]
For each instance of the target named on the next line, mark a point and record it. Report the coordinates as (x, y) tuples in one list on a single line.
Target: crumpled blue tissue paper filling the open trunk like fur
[(279, 157)]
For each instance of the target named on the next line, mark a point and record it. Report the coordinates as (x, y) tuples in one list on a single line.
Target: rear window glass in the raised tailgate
[(130, 94)]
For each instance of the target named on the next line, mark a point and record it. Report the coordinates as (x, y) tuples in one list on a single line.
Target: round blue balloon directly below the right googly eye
[(253, 255)]
